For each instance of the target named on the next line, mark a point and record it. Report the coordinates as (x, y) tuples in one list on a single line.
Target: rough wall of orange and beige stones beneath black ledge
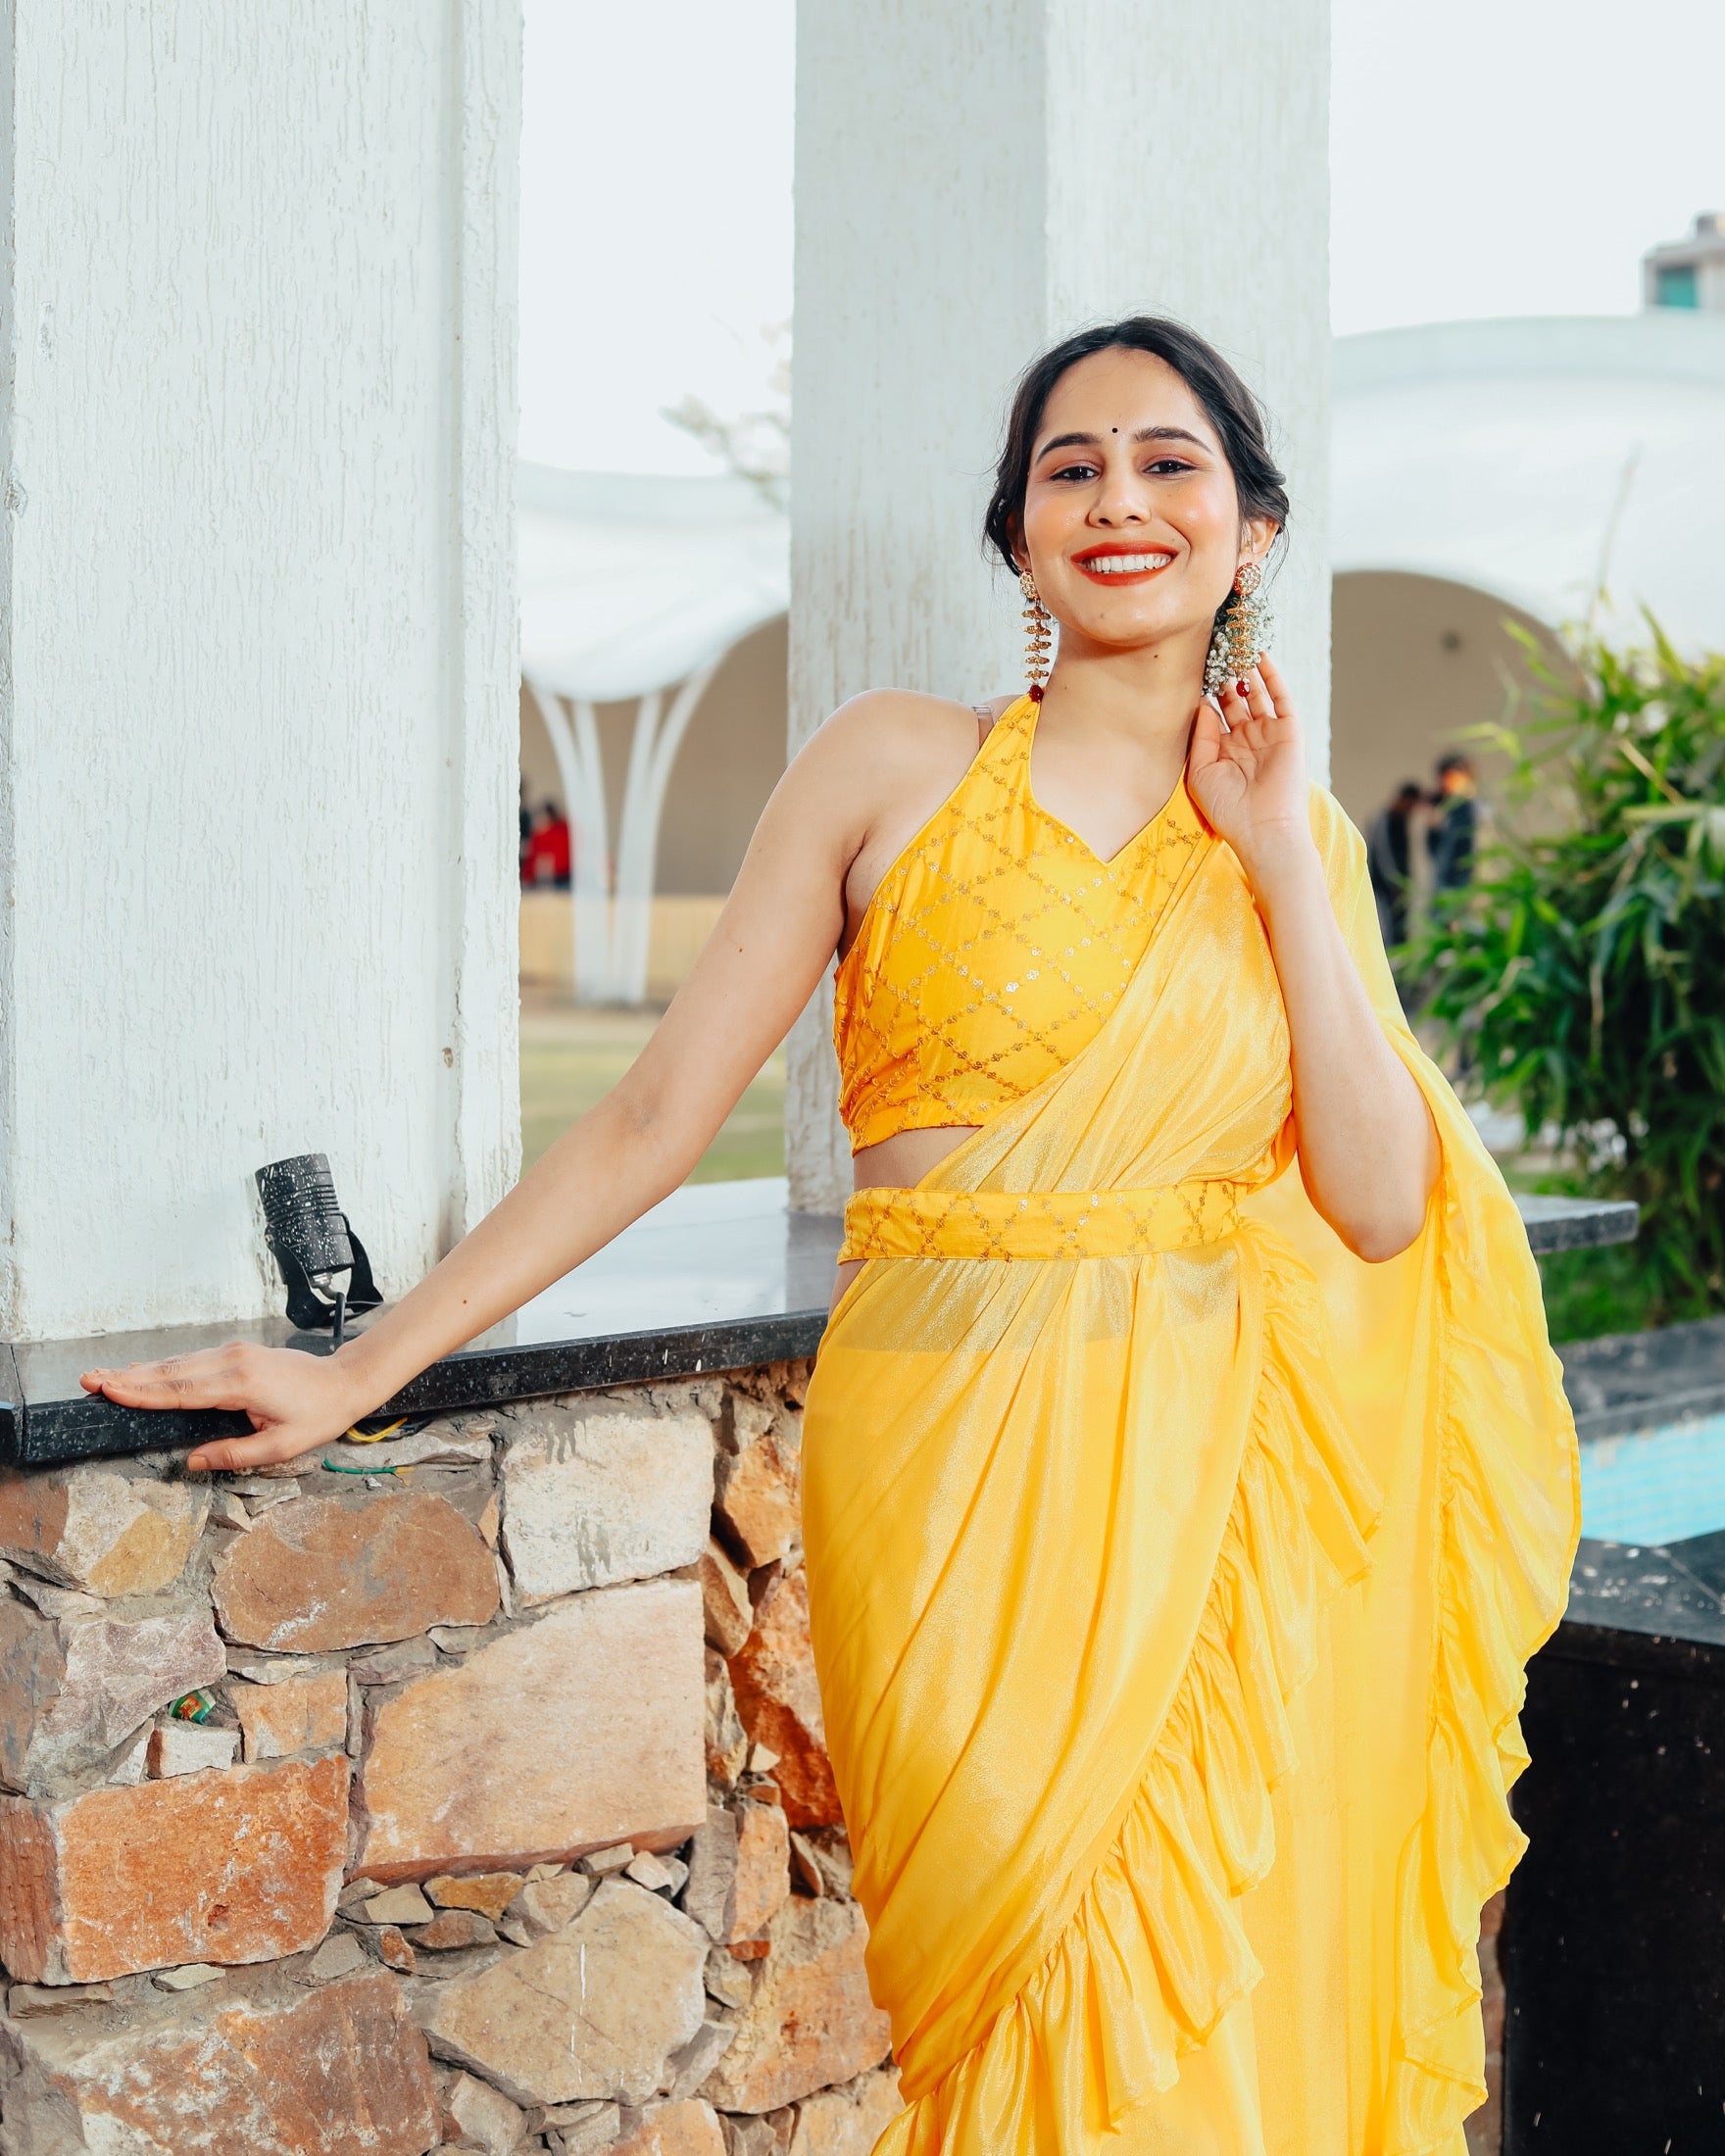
[(463, 1791)]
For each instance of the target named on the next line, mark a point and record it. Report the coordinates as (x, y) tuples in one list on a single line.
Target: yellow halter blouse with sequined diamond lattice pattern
[(995, 948)]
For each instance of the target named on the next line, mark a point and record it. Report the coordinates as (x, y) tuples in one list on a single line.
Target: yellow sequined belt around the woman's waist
[(1038, 1224)]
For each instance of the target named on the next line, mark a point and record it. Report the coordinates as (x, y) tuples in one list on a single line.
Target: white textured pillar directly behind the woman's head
[(974, 182)]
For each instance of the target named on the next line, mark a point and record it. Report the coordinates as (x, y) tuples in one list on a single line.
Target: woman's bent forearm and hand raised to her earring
[(1368, 1144)]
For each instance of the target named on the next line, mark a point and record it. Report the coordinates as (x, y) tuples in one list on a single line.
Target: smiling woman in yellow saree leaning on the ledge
[(1187, 1469)]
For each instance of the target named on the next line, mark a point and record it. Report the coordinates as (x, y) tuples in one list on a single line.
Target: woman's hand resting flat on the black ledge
[(294, 1400)]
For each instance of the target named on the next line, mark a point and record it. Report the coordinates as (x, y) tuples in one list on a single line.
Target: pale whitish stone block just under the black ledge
[(596, 1493)]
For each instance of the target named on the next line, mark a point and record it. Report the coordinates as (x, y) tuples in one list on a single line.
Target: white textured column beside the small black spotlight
[(258, 639)]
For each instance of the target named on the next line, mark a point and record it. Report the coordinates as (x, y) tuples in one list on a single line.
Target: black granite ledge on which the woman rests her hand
[(717, 1277)]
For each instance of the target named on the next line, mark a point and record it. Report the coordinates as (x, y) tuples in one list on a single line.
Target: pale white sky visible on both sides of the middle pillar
[(1489, 158)]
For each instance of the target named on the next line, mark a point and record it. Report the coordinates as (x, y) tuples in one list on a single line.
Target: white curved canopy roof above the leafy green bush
[(1543, 462)]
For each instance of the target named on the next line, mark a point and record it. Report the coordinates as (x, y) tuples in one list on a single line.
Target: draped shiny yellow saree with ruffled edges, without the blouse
[(1172, 1607)]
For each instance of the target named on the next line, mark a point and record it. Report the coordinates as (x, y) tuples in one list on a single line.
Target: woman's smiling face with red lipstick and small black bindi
[(1131, 514)]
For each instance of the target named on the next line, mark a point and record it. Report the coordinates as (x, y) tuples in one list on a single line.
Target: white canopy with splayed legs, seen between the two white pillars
[(633, 592)]
